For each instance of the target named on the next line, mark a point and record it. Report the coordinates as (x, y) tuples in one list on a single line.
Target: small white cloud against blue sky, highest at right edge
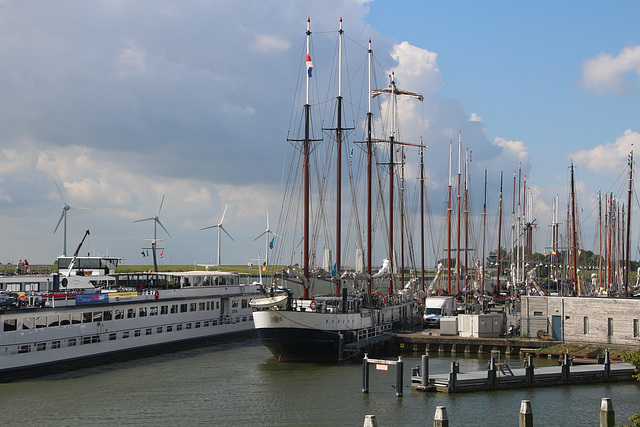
[(607, 73)]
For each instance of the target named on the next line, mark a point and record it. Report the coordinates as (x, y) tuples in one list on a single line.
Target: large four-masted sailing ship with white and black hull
[(353, 315)]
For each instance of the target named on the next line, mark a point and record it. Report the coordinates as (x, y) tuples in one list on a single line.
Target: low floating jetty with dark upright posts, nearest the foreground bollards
[(500, 376)]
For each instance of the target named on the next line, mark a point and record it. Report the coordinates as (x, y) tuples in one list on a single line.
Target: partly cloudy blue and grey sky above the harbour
[(123, 104)]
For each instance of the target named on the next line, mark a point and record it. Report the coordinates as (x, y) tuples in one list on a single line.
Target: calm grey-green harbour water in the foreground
[(241, 384)]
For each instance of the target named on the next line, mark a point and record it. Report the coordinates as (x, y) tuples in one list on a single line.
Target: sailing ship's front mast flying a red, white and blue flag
[(306, 165)]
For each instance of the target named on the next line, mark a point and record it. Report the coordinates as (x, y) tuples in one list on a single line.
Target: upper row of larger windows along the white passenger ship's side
[(117, 314)]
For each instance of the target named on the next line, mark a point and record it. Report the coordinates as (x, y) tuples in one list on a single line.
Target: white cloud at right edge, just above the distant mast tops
[(609, 157)]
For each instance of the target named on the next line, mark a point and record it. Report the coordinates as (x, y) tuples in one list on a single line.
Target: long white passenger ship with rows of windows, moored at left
[(51, 324)]
